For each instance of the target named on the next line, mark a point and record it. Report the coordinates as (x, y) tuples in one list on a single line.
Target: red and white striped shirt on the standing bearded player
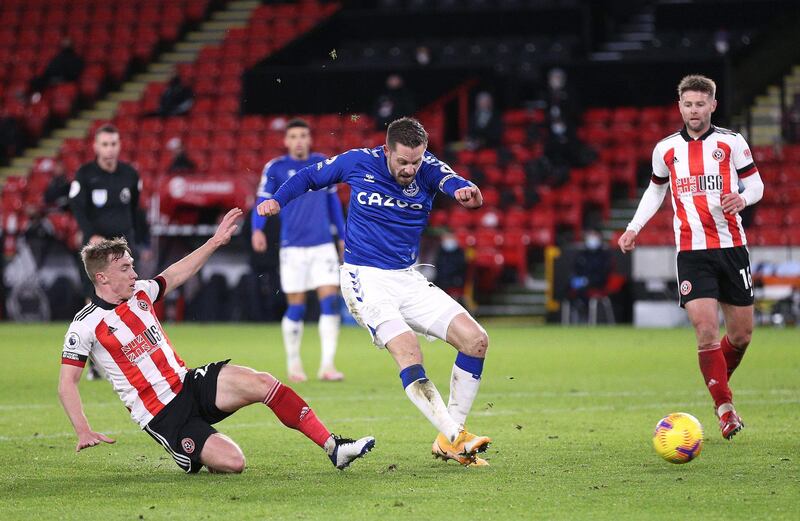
[(700, 171)]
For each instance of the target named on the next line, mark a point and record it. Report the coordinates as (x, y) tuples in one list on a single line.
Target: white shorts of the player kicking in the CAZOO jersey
[(375, 296)]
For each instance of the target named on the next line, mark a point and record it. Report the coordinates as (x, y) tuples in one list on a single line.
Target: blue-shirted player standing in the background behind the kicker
[(309, 259)]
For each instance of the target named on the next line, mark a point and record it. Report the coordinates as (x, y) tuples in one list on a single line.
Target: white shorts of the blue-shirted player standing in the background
[(307, 268)]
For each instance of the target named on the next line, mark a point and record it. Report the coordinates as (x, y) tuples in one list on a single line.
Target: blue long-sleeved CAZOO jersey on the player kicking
[(385, 220)]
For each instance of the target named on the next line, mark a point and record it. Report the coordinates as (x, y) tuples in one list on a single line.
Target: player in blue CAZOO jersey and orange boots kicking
[(392, 194)]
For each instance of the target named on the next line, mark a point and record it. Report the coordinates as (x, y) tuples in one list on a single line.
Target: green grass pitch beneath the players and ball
[(571, 413)]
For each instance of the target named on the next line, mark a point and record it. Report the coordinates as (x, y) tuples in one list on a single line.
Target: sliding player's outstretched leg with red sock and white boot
[(240, 386)]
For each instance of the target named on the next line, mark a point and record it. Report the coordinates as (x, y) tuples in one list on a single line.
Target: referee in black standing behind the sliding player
[(104, 197)]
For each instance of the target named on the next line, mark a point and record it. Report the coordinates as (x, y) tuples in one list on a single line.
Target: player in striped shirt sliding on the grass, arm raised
[(121, 333)]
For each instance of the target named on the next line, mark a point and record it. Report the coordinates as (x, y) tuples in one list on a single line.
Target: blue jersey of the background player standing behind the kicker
[(307, 221)]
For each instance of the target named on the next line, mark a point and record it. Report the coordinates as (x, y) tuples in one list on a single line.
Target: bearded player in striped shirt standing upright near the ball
[(704, 166)]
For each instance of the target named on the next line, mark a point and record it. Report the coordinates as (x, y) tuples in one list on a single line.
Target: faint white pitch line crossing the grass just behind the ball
[(484, 413)]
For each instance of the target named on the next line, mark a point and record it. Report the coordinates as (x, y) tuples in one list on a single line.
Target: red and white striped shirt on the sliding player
[(128, 342)]
